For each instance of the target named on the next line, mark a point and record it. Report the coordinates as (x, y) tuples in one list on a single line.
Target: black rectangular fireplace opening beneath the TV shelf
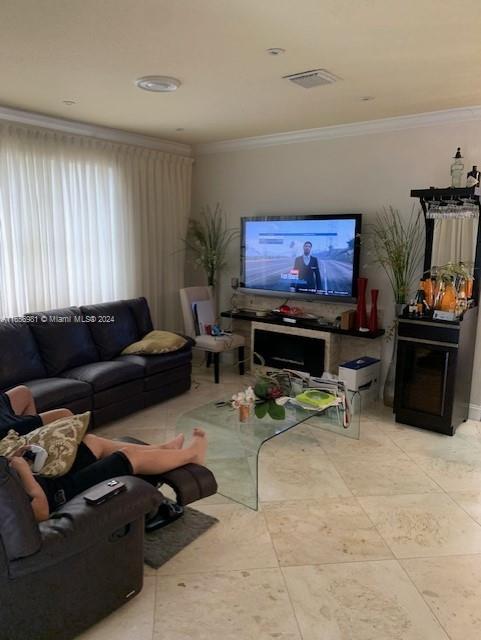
[(289, 351)]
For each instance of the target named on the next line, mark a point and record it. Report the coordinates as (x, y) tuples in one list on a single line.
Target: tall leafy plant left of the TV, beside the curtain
[(208, 238)]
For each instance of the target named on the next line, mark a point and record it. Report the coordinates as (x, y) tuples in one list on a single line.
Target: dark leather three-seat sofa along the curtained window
[(71, 358)]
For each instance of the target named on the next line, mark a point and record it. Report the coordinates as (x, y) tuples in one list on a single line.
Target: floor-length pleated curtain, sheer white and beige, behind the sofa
[(84, 220)]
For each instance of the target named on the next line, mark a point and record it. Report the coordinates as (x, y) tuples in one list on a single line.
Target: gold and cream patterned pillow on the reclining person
[(60, 439)]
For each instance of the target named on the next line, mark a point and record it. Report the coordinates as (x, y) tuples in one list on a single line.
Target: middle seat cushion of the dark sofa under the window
[(53, 393)]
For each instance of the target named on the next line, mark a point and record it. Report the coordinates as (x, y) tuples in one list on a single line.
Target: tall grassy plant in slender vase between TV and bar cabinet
[(398, 247)]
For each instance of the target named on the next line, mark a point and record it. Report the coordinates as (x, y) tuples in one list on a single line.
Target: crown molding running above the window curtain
[(104, 133)]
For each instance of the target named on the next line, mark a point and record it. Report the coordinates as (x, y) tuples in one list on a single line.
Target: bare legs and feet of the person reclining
[(148, 459)]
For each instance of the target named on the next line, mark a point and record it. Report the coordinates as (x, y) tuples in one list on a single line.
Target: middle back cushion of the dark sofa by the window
[(63, 338)]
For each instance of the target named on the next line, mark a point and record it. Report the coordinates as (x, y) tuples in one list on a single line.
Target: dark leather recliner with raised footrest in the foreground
[(61, 576)]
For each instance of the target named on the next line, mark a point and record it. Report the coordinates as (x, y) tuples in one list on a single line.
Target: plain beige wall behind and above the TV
[(354, 174)]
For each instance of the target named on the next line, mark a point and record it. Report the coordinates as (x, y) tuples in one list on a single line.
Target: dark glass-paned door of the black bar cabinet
[(425, 377)]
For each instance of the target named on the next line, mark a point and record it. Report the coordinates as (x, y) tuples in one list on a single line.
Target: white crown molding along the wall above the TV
[(399, 123)]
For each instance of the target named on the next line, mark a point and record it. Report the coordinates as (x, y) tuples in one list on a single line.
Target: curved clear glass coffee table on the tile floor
[(234, 446)]
